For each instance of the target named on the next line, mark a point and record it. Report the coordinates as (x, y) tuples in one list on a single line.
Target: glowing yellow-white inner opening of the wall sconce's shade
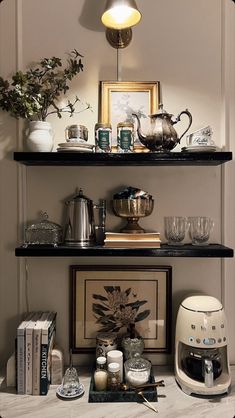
[(121, 17)]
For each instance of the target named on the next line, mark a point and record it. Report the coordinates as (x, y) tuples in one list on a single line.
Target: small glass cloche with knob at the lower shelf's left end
[(43, 232)]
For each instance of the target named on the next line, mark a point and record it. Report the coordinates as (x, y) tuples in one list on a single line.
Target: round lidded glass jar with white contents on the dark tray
[(137, 371)]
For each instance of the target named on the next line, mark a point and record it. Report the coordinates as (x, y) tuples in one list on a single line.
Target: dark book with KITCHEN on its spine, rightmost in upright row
[(46, 345)]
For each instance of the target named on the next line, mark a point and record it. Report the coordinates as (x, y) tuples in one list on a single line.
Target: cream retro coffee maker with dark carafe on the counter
[(201, 350)]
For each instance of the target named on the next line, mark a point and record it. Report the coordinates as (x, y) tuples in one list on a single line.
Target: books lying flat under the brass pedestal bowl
[(126, 240)]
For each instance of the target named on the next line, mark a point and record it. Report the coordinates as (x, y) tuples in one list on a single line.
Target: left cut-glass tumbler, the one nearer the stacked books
[(175, 229)]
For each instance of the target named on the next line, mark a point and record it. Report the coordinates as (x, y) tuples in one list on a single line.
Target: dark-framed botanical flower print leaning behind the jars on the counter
[(113, 298)]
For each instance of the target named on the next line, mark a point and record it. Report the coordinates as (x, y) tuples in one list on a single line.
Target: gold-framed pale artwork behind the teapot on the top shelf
[(119, 99)]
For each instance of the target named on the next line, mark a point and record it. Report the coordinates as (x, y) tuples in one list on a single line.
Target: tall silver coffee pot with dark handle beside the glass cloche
[(80, 228)]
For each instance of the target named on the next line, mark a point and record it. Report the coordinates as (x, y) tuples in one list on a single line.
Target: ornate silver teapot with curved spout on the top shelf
[(162, 136)]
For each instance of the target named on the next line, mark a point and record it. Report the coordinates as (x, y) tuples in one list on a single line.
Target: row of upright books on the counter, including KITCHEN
[(34, 343)]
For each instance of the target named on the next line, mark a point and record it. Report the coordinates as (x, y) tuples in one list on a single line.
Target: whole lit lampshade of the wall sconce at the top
[(120, 14)]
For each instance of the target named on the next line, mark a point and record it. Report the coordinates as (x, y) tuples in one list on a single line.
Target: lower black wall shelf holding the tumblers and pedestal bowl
[(187, 250)]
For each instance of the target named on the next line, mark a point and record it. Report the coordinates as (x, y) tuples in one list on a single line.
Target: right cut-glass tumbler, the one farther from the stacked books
[(199, 229)]
